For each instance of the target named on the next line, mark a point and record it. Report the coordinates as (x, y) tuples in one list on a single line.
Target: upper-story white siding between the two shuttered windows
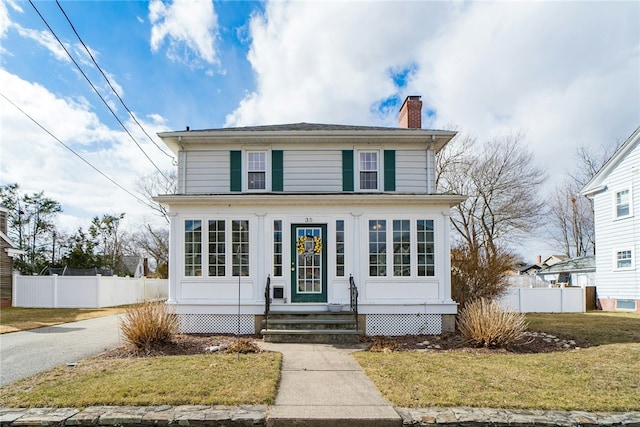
[(308, 171)]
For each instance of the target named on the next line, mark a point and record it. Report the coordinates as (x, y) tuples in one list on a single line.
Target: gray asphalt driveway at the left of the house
[(26, 353)]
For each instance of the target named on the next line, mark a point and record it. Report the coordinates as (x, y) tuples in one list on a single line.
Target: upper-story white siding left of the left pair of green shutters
[(207, 172)]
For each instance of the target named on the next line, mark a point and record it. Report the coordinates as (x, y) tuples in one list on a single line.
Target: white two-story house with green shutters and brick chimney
[(306, 207)]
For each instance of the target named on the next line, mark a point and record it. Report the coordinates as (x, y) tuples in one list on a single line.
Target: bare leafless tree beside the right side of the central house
[(502, 183)]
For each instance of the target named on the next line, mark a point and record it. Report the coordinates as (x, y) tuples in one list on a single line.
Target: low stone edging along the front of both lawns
[(257, 415)]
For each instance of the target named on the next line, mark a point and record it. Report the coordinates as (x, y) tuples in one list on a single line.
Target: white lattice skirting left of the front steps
[(216, 324)]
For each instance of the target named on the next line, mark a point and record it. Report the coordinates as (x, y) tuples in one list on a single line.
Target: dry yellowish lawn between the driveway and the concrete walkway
[(211, 379)]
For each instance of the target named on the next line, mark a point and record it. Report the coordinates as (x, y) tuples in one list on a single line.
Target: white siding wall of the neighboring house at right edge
[(617, 234)]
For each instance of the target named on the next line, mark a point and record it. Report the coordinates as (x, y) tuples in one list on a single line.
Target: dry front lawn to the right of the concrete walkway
[(601, 378)]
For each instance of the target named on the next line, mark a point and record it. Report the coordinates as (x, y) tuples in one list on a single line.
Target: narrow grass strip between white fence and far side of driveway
[(14, 319)]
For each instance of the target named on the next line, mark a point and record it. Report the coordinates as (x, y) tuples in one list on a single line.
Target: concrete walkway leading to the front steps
[(322, 384)]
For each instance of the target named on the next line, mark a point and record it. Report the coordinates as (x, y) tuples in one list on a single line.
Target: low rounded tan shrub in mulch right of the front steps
[(484, 323)]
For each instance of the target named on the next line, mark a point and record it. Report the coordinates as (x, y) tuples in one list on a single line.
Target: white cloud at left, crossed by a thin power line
[(37, 162)]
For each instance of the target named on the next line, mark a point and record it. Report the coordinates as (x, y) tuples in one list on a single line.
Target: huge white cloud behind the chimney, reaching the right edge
[(563, 73)]
